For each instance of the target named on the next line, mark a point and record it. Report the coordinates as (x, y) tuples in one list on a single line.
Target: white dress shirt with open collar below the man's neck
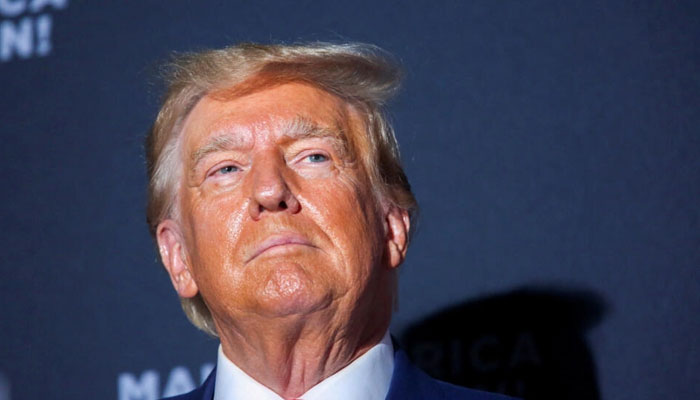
[(366, 378)]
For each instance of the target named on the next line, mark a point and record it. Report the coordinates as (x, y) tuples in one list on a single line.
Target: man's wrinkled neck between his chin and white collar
[(292, 354)]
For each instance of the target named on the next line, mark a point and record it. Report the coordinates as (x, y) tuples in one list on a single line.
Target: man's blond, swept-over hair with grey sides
[(362, 75)]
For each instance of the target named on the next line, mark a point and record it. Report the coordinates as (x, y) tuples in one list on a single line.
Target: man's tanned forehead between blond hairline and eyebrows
[(264, 111)]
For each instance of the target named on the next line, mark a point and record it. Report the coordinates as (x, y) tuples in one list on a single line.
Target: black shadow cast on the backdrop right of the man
[(528, 343)]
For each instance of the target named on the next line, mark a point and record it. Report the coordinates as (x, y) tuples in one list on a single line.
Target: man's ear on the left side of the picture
[(174, 256)]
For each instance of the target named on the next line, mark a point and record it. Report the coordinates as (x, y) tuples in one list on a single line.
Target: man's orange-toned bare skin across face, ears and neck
[(283, 236)]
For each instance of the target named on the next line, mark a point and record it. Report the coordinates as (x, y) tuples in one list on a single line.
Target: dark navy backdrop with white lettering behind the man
[(553, 146)]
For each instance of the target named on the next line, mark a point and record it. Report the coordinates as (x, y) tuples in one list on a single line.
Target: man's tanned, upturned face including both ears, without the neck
[(275, 217)]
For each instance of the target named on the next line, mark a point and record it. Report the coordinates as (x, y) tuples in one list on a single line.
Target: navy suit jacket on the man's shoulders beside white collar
[(407, 383)]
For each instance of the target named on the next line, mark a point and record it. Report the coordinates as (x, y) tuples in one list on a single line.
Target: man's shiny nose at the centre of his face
[(270, 190)]
